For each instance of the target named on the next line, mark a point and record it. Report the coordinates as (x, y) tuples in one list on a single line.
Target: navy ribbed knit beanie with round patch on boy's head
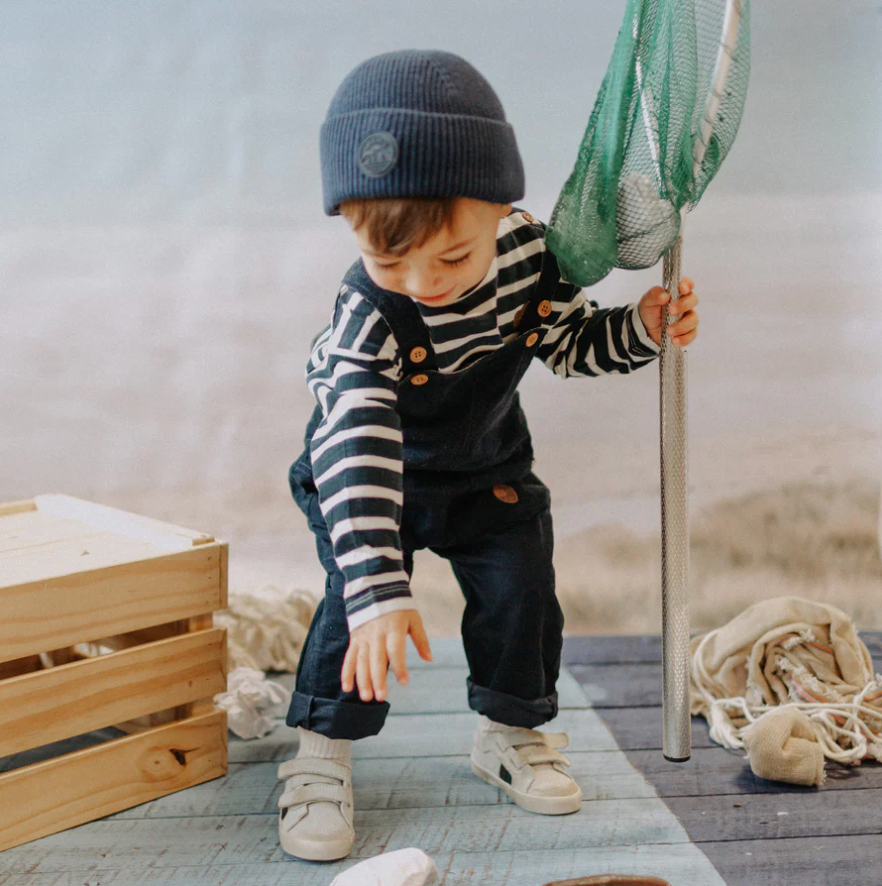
[(418, 123)]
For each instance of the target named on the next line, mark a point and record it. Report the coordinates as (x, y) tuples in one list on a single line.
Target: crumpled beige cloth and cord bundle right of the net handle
[(795, 653)]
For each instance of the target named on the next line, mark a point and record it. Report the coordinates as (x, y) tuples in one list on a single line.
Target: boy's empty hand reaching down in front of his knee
[(377, 644)]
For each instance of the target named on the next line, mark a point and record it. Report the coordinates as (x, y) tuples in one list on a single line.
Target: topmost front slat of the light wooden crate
[(77, 608)]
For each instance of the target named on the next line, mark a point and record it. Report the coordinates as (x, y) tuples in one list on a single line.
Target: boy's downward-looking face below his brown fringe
[(449, 264)]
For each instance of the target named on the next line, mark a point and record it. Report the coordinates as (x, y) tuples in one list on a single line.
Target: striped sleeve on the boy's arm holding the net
[(587, 340)]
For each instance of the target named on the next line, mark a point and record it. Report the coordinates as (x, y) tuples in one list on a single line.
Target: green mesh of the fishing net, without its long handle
[(649, 152)]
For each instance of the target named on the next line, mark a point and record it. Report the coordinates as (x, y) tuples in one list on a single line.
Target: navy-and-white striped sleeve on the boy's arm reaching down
[(353, 373)]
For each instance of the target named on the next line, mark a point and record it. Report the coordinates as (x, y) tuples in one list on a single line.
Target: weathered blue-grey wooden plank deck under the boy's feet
[(413, 787)]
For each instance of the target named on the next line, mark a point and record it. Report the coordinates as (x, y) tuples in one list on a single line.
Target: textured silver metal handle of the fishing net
[(677, 738)]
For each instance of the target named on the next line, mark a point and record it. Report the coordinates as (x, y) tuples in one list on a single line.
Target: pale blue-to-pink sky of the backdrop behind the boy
[(164, 259)]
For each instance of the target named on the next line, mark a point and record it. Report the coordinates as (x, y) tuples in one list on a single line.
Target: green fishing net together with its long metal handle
[(664, 121)]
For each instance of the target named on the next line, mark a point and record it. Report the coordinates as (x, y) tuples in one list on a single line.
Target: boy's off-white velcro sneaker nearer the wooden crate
[(315, 821)]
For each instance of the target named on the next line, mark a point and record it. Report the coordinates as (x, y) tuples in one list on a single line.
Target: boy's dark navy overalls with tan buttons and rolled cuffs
[(470, 497)]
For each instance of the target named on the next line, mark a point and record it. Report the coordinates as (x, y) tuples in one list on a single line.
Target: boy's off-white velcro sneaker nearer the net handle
[(526, 765)]
